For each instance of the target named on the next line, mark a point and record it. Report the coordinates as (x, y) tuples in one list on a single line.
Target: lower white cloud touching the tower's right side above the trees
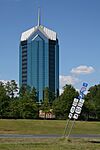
[(68, 80)]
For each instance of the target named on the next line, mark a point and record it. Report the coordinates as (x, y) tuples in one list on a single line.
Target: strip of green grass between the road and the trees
[(46, 127)]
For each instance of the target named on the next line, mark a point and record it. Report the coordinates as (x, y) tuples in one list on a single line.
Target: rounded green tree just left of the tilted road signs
[(62, 104)]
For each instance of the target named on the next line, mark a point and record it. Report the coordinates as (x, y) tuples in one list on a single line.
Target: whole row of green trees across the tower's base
[(22, 103)]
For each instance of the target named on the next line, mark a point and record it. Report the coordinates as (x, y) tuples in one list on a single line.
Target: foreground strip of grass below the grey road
[(48, 144)]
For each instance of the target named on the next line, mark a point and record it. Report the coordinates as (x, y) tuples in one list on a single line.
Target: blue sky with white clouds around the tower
[(77, 23)]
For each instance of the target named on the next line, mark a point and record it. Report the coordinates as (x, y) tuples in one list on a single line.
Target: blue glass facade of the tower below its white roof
[(39, 63)]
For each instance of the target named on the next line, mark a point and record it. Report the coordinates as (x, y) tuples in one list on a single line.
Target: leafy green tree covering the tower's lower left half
[(28, 106)]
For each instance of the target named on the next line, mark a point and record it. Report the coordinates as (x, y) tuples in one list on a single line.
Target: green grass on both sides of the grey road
[(48, 127)]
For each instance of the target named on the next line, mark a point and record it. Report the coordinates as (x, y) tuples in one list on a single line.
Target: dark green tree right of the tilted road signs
[(92, 103)]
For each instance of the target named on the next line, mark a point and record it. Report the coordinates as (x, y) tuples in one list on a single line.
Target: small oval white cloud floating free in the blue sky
[(82, 70)]
